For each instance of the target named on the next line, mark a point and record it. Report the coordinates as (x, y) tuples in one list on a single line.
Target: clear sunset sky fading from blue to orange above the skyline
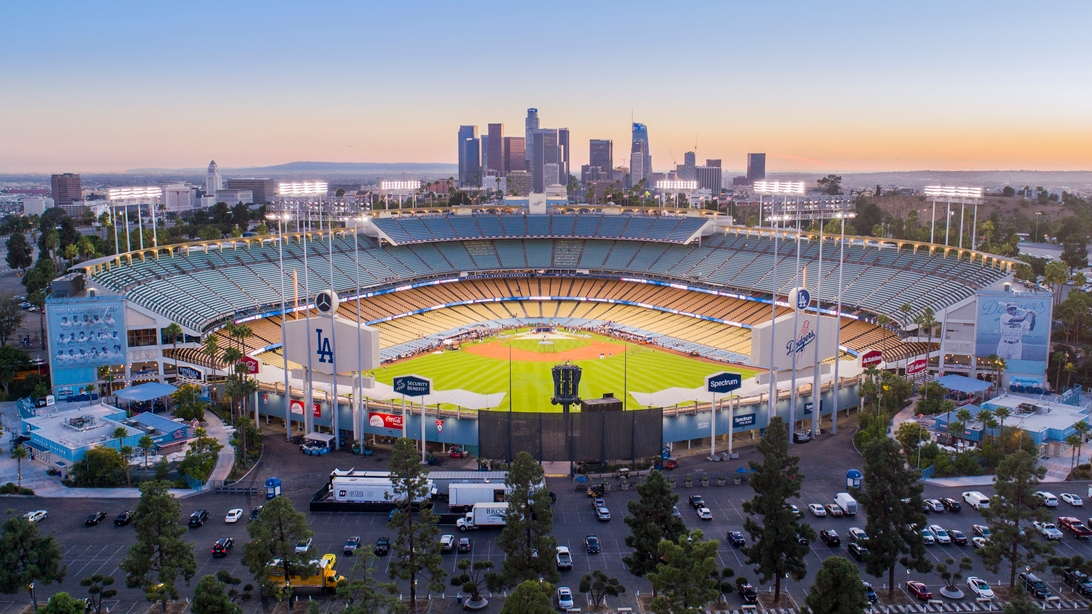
[(840, 87)]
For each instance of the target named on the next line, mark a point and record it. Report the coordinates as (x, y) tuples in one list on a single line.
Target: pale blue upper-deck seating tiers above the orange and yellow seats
[(209, 286)]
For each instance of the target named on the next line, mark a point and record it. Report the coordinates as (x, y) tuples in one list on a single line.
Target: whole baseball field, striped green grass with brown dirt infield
[(526, 359)]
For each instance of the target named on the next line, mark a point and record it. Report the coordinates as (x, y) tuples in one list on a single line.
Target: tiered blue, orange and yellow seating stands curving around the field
[(681, 280)]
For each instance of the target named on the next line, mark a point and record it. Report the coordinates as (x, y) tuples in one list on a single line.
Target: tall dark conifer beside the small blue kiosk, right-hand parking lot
[(893, 505)]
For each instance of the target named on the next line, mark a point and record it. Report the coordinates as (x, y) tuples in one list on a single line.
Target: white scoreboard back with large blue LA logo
[(318, 336)]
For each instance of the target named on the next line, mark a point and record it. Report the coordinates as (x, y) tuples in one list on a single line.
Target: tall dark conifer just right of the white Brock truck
[(529, 525)]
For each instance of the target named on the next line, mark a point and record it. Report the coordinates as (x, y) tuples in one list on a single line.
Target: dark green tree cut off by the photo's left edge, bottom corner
[(28, 558)]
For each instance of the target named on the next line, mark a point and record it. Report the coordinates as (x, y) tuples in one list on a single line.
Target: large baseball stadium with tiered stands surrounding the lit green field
[(484, 304)]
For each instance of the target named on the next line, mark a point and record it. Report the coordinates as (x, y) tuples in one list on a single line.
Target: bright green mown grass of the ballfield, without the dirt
[(647, 370)]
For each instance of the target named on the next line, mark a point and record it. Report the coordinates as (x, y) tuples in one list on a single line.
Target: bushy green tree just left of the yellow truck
[(274, 537)]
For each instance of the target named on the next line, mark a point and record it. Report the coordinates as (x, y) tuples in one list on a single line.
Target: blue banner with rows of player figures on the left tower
[(85, 335)]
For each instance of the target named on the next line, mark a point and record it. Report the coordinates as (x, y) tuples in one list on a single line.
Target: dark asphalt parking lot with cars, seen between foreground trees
[(100, 550)]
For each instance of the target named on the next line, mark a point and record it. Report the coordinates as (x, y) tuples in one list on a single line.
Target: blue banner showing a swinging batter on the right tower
[(1017, 328)]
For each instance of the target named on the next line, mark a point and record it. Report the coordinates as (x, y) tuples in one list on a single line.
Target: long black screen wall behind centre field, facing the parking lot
[(578, 436)]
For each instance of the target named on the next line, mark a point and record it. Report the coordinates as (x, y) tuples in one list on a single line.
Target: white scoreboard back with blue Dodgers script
[(793, 341)]
